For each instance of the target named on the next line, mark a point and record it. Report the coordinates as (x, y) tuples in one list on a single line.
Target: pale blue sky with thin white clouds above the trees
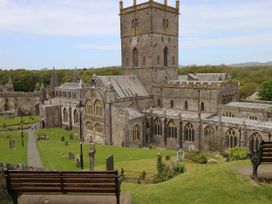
[(37, 34)]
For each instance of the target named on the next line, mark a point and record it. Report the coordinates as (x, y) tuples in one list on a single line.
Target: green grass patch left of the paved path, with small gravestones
[(17, 155)]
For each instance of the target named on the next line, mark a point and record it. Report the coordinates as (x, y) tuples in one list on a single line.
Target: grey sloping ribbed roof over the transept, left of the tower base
[(125, 86)]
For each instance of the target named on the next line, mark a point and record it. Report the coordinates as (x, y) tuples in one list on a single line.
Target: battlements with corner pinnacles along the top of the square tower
[(149, 4)]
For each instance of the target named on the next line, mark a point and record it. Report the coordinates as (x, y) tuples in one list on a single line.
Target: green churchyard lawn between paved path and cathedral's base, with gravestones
[(54, 153)]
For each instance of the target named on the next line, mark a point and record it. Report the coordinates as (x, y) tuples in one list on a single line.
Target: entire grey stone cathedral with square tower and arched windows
[(150, 104)]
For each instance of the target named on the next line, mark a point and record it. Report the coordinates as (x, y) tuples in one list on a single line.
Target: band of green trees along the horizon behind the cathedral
[(251, 79)]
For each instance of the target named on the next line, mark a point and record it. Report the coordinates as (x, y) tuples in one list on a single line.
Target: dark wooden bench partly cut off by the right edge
[(262, 155)]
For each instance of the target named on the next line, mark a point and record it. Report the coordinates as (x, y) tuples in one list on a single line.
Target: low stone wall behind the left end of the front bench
[(6, 166)]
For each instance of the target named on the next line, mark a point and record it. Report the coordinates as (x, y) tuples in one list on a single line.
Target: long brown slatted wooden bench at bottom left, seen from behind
[(62, 182)]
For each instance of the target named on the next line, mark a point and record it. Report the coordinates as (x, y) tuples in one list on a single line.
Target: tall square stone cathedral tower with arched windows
[(149, 40)]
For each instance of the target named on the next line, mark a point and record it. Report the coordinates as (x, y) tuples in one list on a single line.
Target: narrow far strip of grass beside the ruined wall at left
[(17, 120)]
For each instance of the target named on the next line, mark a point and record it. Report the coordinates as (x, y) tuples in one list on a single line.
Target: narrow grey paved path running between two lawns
[(33, 156)]
